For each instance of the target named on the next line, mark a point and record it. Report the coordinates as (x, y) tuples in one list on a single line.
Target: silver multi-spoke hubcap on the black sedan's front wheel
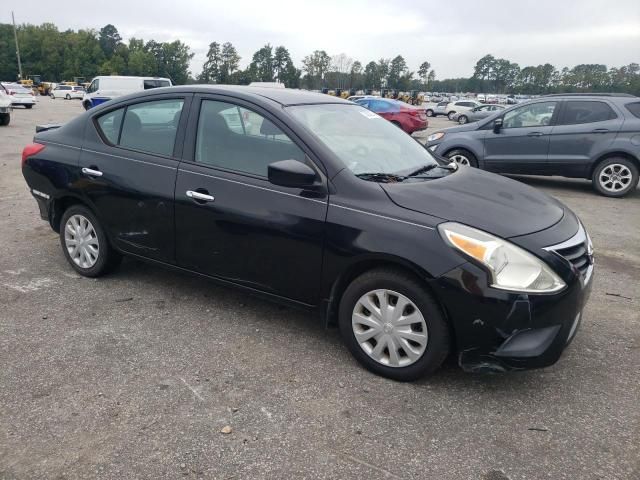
[(389, 328)]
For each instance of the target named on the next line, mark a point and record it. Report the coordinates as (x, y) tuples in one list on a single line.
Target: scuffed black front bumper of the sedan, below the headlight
[(496, 330)]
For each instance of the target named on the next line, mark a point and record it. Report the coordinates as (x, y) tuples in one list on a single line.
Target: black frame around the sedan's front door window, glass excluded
[(190, 134)]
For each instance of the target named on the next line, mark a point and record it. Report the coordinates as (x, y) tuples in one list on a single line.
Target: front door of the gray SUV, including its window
[(522, 144)]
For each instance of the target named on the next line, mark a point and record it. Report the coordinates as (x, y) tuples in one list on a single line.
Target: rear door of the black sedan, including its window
[(129, 162)]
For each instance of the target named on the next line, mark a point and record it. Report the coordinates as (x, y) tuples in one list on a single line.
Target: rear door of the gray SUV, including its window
[(584, 130)]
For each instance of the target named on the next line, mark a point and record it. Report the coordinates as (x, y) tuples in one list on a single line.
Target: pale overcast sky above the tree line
[(451, 35)]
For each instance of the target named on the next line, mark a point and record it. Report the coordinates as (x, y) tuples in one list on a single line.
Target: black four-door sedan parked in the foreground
[(317, 202)]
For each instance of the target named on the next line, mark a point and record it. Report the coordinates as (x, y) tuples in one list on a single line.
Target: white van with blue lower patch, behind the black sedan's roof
[(103, 89)]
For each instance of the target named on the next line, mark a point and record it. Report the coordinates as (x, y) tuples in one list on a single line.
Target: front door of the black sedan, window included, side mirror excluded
[(231, 222)]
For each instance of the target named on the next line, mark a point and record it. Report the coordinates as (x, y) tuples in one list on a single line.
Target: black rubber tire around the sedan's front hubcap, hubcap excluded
[(438, 331)]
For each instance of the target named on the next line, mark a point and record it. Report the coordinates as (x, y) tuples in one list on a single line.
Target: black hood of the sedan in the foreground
[(483, 200)]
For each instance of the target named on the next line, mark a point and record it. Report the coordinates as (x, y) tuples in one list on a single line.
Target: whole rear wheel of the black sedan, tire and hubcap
[(85, 244)]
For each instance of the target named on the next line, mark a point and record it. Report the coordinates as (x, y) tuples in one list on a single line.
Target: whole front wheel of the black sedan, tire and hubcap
[(393, 326)]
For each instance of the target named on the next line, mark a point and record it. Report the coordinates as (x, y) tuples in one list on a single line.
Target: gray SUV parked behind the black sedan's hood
[(594, 136)]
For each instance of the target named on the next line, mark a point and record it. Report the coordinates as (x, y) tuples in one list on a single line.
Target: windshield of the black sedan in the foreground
[(364, 141)]
